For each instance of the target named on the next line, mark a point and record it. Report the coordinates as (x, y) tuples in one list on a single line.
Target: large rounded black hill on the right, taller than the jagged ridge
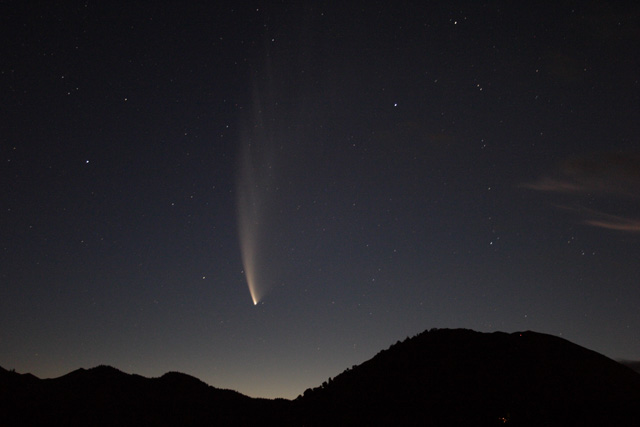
[(460, 376)]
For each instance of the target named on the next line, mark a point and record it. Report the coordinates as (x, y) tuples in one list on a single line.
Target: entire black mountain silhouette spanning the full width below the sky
[(439, 377)]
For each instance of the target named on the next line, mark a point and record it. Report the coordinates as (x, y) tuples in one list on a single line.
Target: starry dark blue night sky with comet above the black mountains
[(372, 169)]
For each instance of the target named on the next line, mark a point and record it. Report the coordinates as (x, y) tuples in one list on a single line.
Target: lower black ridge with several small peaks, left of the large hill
[(106, 396)]
